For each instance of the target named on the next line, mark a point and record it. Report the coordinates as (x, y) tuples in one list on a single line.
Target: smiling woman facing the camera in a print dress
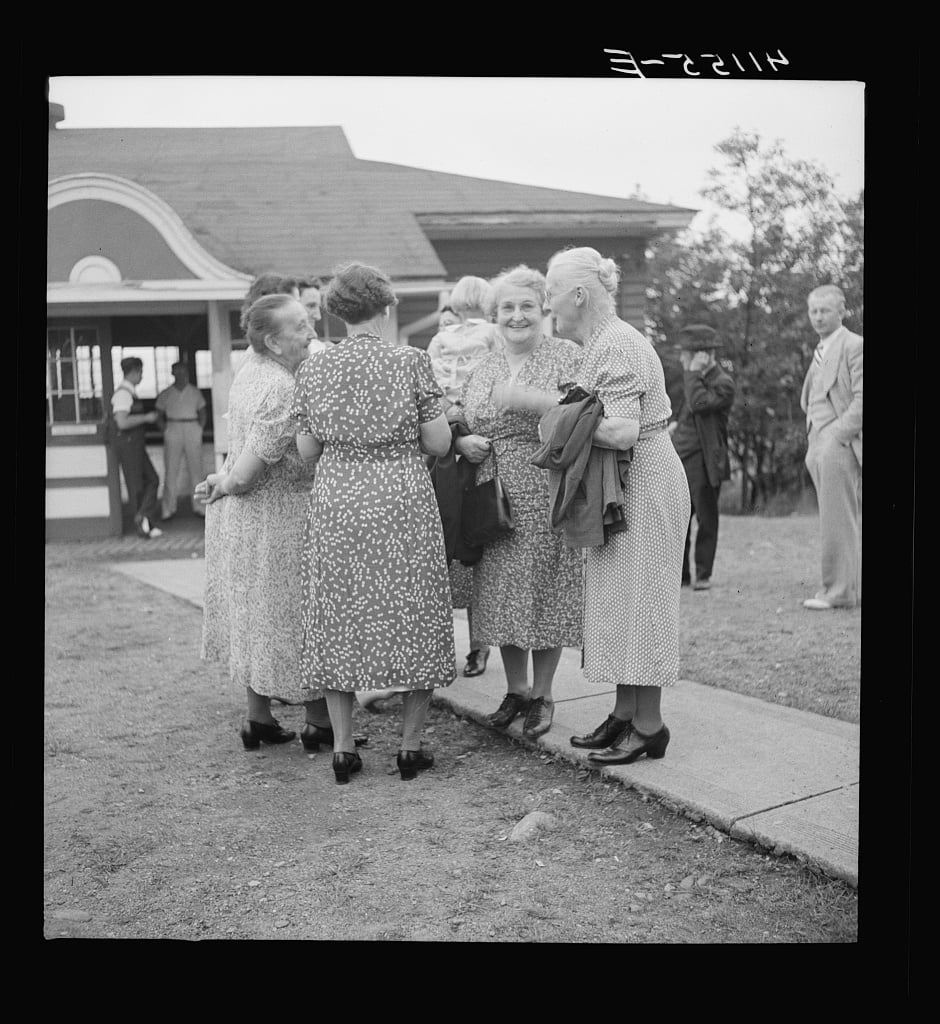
[(527, 586)]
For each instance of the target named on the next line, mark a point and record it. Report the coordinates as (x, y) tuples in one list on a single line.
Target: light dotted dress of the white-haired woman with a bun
[(632, 584)]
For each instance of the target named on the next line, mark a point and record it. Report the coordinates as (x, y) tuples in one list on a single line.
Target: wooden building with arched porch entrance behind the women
[(155, 235)]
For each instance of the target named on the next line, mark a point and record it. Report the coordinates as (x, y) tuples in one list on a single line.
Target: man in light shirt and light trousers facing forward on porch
[(183, 410)]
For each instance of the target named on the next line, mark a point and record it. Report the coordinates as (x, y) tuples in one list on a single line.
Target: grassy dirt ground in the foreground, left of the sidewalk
[(158, 824)]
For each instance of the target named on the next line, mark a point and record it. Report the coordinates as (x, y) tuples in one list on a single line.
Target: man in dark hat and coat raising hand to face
[(701, 438)]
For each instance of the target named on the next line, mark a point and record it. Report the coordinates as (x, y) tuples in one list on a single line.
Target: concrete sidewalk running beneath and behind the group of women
[(783, 779)]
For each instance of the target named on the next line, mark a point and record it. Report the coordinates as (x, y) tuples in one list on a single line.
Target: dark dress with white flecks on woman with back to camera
[(376, 599)]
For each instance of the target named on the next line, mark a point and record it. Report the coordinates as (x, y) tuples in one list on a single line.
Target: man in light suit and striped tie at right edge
[(833, 402)]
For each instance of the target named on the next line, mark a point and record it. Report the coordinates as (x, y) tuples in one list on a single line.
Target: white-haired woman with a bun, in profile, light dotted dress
[(632, 583)]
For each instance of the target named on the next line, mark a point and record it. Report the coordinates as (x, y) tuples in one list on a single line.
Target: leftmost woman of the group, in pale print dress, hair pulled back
[(254, 531)]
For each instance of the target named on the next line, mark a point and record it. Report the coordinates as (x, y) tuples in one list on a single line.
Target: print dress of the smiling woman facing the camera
[(528, 586)]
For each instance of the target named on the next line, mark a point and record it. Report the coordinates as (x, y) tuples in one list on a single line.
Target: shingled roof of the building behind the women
[(298, 200)]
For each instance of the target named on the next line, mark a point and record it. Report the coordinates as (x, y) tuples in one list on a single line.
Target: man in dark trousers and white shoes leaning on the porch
[(131, 447)]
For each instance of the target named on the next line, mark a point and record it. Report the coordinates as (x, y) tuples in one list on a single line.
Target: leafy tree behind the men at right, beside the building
[(798, 234)]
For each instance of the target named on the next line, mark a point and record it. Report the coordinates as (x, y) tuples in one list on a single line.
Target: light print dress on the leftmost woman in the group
[(254, 541)]
